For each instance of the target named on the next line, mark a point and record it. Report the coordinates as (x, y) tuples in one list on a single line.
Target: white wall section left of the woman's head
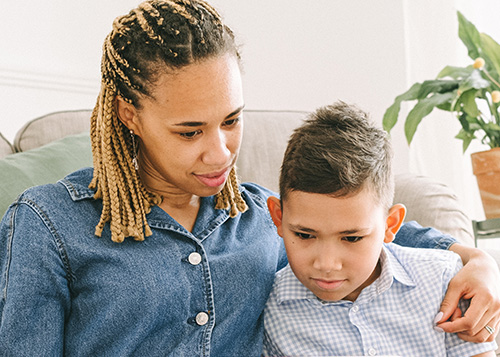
[(50, 56)]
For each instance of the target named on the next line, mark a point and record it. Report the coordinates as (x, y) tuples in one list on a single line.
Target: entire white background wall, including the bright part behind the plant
[(297, 55)]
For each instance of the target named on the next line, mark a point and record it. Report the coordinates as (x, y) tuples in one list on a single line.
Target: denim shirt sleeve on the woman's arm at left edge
[(35, 296)]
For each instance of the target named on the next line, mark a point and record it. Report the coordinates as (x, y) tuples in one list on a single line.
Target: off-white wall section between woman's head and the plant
[(304, 54)]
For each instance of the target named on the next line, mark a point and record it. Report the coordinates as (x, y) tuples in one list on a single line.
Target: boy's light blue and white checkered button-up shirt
[(392, 316)]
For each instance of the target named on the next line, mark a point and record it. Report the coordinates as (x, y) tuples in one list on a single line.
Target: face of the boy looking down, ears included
[(334, 244)]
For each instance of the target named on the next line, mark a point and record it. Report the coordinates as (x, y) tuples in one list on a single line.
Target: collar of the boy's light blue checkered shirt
[(290, 288)]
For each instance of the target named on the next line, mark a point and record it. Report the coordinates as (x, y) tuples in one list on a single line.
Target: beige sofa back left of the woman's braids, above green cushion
[(51, 127)]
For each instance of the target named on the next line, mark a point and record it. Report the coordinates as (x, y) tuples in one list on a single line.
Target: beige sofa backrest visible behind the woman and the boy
[(265, 137)]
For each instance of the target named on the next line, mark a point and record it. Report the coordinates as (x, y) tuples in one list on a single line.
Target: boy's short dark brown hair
[(338, 151)]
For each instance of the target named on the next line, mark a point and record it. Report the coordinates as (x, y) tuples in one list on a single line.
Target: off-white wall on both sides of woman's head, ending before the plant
[(297, 54)]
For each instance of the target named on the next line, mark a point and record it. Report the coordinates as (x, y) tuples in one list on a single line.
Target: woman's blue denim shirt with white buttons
[(65, 291)]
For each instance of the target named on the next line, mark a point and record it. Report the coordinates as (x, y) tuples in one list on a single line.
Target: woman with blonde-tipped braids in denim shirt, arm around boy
[(197, 252)]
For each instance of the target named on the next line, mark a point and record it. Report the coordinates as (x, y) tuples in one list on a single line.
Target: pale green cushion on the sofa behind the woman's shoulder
[(46, 164)]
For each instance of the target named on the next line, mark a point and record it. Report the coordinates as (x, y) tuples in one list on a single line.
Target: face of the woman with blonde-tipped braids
[(190, 130)]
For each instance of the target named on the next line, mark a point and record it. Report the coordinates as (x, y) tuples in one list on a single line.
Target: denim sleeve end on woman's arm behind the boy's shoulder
[(412, 234)]
